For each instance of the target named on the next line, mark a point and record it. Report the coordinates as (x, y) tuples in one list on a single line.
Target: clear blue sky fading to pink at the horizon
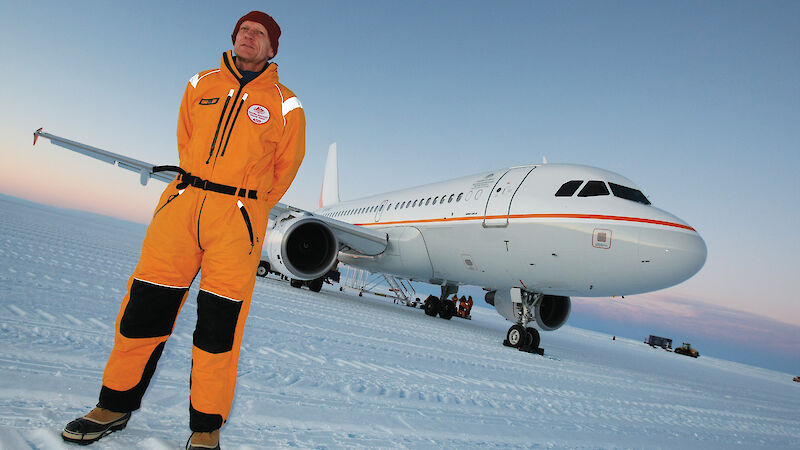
[(698, 103)]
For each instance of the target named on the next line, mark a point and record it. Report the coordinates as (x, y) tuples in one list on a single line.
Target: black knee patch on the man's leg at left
[(151, 310)]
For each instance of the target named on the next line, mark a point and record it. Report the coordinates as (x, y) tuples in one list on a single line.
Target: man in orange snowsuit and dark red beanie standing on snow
[(241, 139)]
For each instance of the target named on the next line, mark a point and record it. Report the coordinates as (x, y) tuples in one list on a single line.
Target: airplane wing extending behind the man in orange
[(351, 237)]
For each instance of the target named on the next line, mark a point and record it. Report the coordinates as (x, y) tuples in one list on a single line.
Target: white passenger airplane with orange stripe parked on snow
[(532, 236)]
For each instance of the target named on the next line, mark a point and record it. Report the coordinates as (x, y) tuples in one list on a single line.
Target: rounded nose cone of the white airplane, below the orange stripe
[(670, 256)]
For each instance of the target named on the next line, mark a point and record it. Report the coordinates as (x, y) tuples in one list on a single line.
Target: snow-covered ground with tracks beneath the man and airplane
[(334, 370)]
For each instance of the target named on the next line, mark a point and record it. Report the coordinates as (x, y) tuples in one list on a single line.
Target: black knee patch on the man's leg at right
[(216, 322)]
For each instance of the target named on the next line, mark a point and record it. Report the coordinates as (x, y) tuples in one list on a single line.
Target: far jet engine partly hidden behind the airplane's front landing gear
[(549, 312)]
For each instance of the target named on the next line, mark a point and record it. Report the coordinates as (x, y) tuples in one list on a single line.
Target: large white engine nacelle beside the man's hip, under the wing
[(303, 248)]
